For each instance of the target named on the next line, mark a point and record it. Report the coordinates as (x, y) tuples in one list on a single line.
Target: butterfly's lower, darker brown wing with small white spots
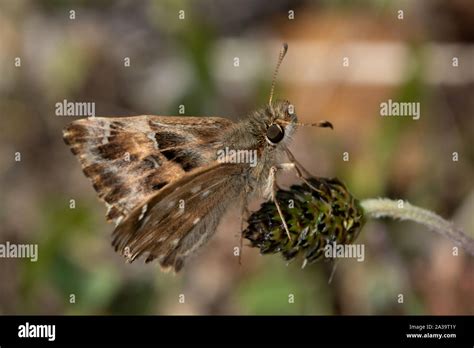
[(180, 218)]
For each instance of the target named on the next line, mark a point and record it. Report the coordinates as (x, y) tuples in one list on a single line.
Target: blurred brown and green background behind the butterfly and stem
[(344, 59)]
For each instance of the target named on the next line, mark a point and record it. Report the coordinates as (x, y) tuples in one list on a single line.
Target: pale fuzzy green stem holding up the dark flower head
[(383, 207)]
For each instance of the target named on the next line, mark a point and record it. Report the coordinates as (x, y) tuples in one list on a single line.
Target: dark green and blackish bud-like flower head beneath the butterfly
[(324, 213)]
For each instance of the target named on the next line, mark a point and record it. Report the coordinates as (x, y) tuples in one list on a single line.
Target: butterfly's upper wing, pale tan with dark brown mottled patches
[(130, 159)]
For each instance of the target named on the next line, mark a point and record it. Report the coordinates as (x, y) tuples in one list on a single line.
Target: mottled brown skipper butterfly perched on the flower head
[(168, 180)]
